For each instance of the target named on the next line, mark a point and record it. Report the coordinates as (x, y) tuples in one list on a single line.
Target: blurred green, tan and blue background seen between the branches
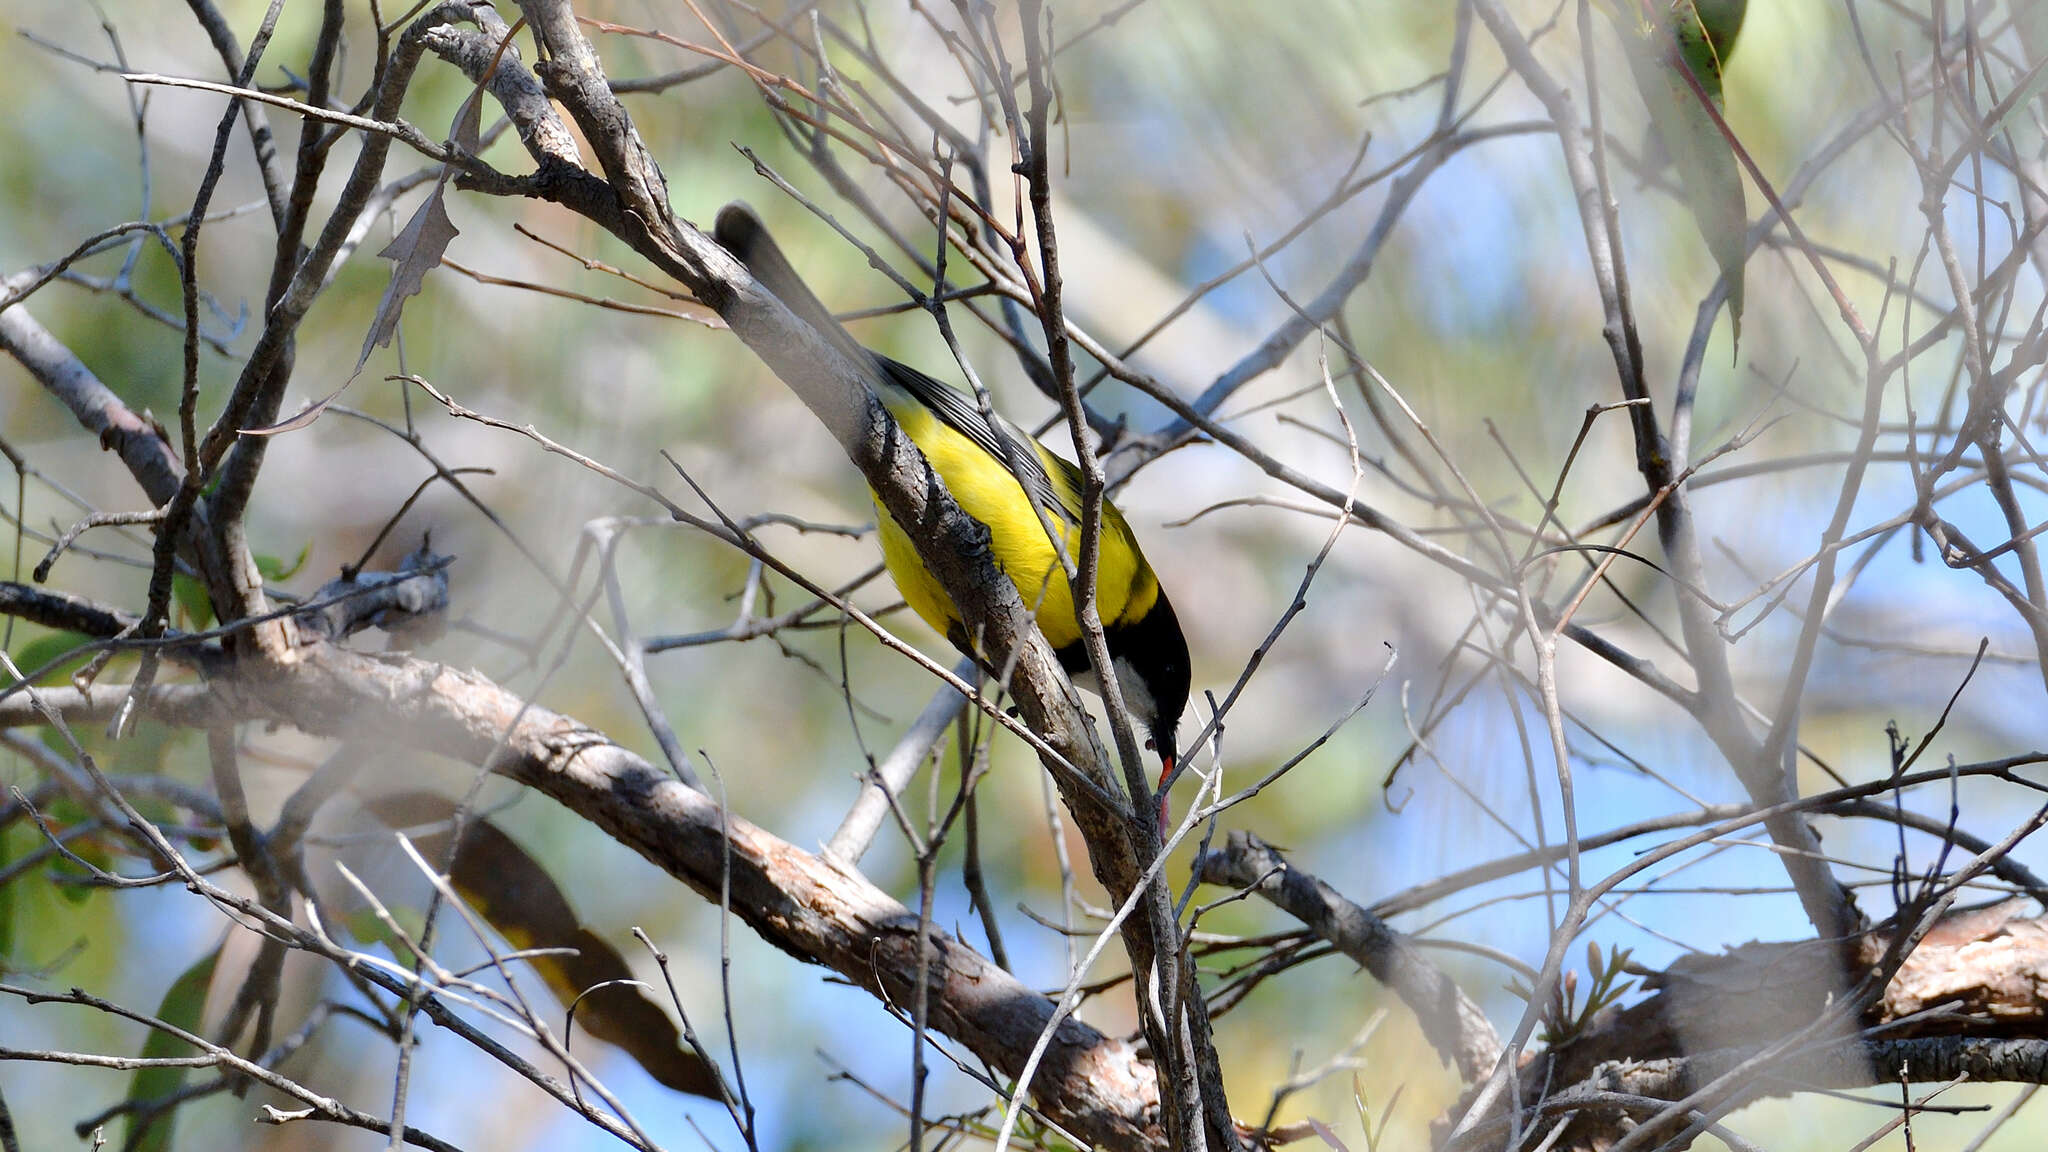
[(1191, 132)]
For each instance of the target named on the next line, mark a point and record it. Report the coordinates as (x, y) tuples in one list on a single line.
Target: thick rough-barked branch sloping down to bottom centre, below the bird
[(806, 905)]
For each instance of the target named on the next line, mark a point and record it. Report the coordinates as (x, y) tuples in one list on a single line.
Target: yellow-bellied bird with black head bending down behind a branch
[(970, 452)]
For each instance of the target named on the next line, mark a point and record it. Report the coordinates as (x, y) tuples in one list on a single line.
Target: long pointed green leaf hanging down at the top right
[(1697, 40)]
